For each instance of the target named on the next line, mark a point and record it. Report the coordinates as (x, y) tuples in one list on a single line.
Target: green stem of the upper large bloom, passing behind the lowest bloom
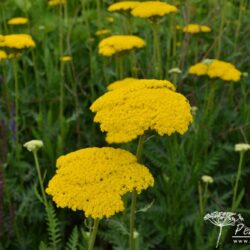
[(134, 196)]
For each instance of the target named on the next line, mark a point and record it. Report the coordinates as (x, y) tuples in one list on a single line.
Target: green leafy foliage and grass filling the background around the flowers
[(168, 215)]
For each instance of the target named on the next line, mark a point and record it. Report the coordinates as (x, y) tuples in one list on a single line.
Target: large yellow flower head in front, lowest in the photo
[(95, 179)]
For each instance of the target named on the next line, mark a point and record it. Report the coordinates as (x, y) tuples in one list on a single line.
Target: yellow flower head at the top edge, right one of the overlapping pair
[(153, 9)]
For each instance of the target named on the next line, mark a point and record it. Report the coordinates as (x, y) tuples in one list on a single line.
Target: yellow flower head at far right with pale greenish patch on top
[(216, 69)]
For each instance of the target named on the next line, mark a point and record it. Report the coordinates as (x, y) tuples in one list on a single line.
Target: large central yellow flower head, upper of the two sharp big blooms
[(127, 112)]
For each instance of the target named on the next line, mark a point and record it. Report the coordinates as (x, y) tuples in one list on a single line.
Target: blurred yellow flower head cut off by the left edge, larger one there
[(17, 41)]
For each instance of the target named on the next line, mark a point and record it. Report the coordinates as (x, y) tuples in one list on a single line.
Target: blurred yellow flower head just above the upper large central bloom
[(118, 43)]
